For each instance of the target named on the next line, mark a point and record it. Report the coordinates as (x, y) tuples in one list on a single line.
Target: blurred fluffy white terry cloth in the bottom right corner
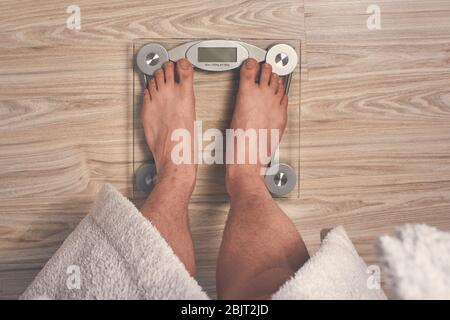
[(417, 262)]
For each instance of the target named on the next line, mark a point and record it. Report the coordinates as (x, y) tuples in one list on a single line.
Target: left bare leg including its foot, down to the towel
[(169, 105)]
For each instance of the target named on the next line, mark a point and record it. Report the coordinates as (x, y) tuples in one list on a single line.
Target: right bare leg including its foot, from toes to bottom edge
[(261, 247)]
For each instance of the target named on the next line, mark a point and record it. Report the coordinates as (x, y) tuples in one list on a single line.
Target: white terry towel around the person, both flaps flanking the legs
[(116, 253)]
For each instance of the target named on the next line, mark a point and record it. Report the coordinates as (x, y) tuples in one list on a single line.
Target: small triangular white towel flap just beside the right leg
[(336, 271)]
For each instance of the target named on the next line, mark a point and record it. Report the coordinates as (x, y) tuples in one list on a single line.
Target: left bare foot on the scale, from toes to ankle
[(169, 105)]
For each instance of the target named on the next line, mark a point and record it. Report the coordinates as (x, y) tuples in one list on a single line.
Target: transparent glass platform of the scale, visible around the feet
[(215, 94)]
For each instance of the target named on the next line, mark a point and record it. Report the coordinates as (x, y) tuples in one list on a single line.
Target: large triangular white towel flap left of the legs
[(118, 254)]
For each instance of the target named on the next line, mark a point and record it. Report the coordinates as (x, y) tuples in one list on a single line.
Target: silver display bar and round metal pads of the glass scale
[(216, 56)]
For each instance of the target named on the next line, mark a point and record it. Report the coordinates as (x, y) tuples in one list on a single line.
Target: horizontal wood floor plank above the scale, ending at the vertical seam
[(105, 21)]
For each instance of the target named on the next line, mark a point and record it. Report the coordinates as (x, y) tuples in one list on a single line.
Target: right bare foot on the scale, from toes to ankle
[(260, 105)]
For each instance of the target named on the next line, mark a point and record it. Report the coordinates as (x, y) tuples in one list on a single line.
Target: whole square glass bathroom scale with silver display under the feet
[(216, 77)]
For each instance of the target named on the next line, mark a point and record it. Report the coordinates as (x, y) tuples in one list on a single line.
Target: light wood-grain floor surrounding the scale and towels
[(375, 114)]
